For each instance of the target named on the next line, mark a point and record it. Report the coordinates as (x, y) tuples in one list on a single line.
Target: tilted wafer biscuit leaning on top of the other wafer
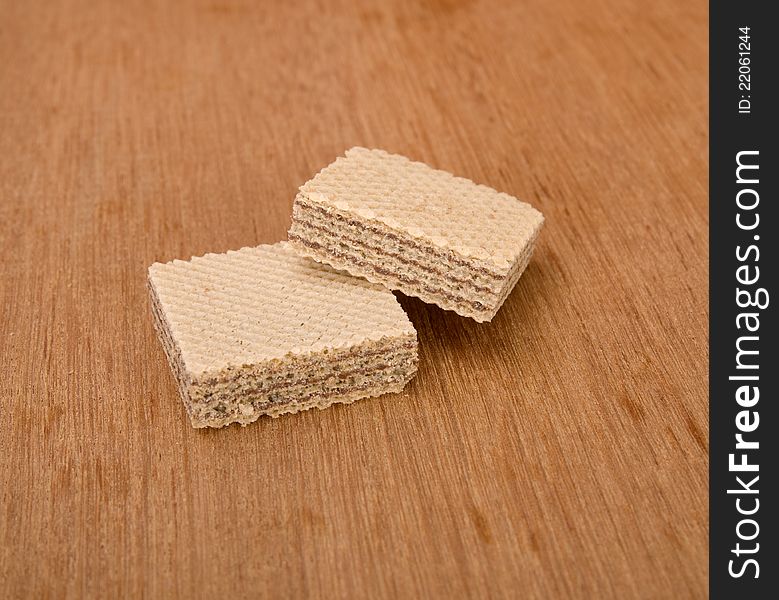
[(412, 228)]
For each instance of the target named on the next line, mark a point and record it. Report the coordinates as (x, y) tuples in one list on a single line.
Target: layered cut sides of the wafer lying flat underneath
[(296, 382)]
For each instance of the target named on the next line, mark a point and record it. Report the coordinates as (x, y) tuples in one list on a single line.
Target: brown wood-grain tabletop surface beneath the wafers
[(560, 451)]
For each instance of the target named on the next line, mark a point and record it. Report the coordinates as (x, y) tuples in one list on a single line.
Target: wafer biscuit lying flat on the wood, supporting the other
[(264, 331)]
